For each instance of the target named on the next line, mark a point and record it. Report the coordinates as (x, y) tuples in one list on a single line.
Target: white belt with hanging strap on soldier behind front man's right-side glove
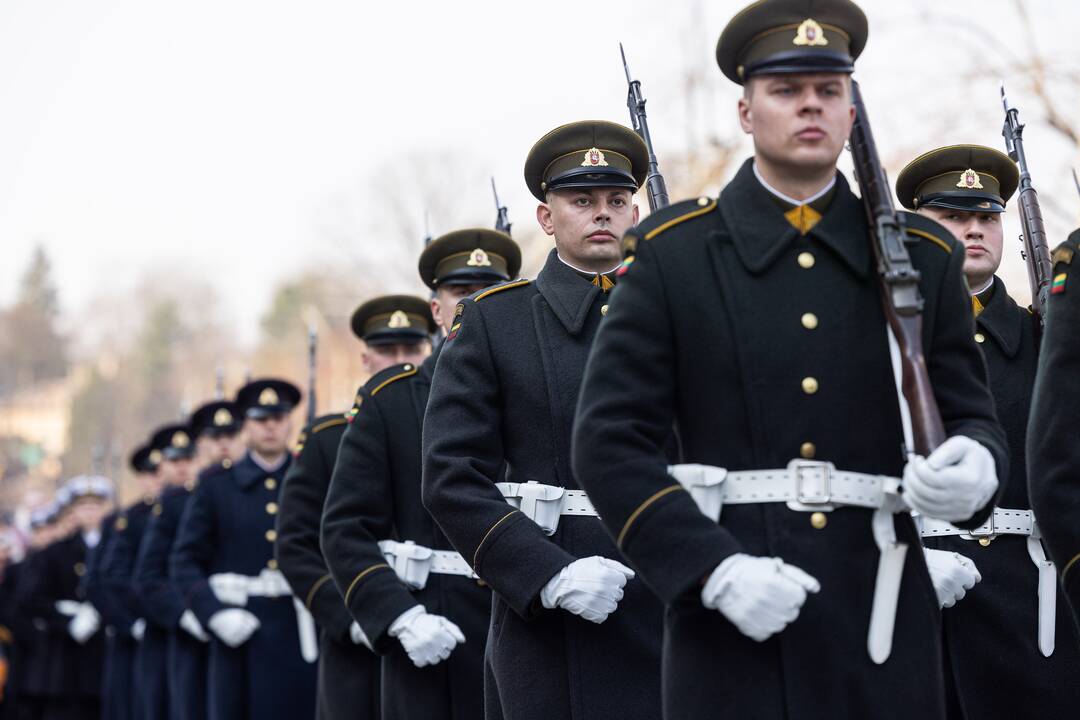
[(1005, 522)]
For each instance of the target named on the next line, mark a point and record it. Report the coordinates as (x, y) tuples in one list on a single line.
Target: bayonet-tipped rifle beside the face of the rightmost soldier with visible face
[(1036, 251)]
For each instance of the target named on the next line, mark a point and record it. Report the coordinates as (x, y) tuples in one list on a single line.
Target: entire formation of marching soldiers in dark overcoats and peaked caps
[(765, 455)]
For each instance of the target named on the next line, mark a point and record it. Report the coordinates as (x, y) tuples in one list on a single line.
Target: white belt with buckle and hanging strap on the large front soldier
[(815, 486)]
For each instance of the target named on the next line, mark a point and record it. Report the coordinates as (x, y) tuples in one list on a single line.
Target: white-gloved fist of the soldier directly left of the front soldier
[(590, 588)]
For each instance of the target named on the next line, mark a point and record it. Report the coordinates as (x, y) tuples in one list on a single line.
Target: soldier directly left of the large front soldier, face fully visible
[(574, 633)]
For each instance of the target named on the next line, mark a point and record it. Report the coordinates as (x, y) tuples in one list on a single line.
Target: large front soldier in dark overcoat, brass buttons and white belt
[(754, 323)]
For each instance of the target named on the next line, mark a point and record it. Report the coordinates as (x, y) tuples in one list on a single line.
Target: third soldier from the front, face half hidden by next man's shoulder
[(374, 515)]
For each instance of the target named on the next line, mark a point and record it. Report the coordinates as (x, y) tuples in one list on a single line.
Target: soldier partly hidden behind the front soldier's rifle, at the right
[(1010, 646)]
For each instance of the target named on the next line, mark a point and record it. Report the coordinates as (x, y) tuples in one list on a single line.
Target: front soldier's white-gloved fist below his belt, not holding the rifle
[(760, 595)]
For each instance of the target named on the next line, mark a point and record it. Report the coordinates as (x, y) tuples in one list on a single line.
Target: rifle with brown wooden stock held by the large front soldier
[(900, 281)]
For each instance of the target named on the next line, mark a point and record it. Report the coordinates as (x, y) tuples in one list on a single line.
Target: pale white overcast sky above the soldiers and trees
[(222, 138)]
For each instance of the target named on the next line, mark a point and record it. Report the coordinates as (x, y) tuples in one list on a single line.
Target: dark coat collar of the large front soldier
[(762, 234)]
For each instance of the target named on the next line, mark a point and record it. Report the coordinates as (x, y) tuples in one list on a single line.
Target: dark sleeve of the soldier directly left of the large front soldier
[(464, 456)]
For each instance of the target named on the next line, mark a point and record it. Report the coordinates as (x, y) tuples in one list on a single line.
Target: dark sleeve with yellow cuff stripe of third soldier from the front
[(359, 513)]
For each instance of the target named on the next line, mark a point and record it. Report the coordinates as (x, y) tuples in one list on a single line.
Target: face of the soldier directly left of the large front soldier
[(588, 225)]
